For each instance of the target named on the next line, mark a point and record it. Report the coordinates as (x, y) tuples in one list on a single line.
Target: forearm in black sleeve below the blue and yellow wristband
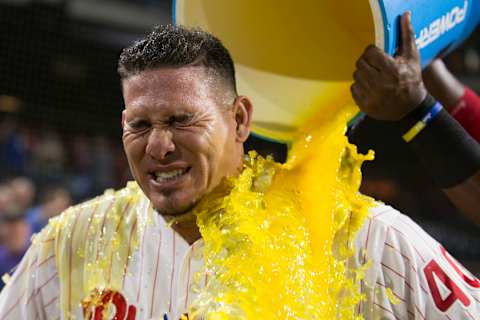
[(451, 157)]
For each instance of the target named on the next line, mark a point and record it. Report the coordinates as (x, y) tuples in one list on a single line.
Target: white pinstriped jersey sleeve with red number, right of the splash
[(414, 276)]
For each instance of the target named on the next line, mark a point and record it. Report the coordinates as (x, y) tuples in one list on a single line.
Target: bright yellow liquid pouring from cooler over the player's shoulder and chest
[(277, 238)]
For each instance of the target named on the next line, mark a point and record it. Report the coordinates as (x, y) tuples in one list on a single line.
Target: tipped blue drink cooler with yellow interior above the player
[(295, 59)]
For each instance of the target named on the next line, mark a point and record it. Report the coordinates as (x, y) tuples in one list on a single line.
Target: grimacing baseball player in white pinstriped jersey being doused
[(184, 127)]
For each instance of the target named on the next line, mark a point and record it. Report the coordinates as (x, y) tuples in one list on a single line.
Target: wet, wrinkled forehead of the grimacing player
[(183, 85)]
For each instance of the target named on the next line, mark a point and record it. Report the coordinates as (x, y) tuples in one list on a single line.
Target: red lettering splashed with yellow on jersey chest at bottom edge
[(107, 304)]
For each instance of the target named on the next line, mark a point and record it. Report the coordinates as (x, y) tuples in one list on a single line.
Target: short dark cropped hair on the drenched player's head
[(177, 46)]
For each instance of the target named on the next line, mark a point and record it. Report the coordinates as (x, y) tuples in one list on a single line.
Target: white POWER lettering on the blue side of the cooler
[(442, 25)]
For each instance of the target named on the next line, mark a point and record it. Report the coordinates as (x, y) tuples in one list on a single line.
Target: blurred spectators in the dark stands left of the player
[(43, 172)]
